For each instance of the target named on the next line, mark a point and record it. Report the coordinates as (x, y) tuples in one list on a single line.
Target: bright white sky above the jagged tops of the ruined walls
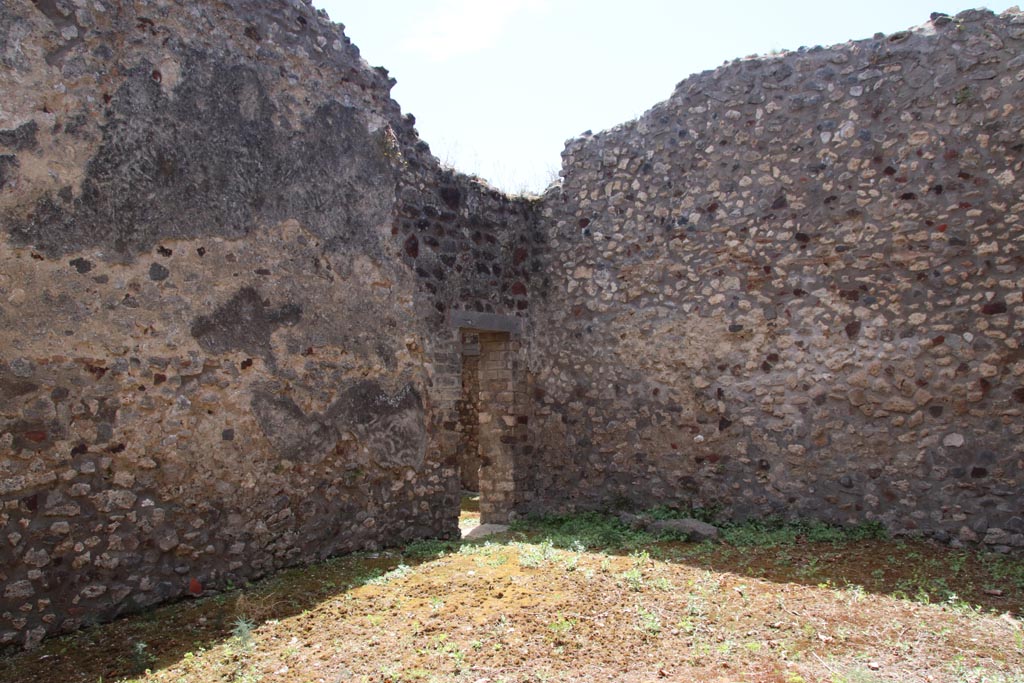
[(498, 87)]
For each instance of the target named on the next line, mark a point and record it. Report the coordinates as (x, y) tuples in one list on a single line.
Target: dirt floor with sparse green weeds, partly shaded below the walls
[(584, 600)]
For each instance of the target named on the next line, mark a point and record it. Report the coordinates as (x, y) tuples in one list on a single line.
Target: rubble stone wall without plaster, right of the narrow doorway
[(795, 288)]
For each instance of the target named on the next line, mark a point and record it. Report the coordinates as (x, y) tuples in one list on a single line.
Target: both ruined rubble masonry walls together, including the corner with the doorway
[(233, 282)]
